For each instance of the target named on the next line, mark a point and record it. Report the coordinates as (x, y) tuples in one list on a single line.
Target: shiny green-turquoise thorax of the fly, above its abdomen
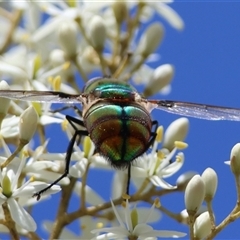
[(109, 88)]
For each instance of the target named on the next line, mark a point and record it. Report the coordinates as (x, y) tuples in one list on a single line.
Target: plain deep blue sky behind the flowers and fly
[(206, 56)]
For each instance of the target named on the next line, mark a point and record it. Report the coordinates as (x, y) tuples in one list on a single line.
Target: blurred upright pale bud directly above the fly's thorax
[(97, 33)]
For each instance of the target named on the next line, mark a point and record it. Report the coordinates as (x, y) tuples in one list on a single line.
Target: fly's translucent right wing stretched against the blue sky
[(202, 111)]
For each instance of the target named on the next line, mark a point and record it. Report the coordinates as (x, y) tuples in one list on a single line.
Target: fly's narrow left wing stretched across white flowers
[(40, 96)]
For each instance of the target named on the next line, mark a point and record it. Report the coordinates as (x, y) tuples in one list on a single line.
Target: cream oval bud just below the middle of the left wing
[(28, 124)]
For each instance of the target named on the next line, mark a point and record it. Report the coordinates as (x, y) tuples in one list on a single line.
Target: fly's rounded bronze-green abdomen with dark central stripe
[(121, 133)]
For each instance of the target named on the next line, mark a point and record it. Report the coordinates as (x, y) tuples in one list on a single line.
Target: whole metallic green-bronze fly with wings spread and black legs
[(117, 119)]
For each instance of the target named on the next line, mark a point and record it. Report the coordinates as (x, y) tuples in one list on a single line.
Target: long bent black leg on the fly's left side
[(77, 132)]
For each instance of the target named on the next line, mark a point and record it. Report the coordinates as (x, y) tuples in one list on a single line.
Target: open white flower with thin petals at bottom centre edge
[(131, 227)]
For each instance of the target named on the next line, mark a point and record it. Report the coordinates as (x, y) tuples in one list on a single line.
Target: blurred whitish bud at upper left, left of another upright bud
[(67, 34)]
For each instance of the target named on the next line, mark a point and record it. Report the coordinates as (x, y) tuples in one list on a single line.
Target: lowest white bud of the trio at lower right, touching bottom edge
[(202, 226)]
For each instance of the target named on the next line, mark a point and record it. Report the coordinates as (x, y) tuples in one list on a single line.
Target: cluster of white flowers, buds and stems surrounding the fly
[(58, 46)]
